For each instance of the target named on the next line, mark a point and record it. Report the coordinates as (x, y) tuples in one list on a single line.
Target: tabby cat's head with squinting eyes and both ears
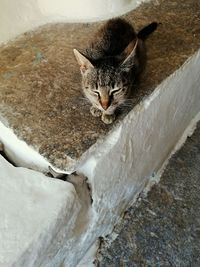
[(106, 82)]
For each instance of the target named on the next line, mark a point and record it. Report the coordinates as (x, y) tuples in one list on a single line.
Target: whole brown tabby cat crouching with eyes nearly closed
[(111, 62)]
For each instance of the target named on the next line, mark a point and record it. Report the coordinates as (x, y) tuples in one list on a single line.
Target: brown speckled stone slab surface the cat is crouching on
[(40, 91)]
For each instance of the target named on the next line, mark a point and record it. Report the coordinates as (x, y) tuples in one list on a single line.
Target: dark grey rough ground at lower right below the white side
[(163, 229)]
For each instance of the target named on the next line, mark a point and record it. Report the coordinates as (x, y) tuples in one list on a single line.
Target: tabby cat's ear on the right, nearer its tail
[(128, 55)]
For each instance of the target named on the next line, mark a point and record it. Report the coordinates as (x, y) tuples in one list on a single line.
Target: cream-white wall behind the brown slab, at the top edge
[(19, 16)]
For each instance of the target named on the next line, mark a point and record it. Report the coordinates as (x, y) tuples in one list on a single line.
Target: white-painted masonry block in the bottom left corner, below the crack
[(37, 216)]
